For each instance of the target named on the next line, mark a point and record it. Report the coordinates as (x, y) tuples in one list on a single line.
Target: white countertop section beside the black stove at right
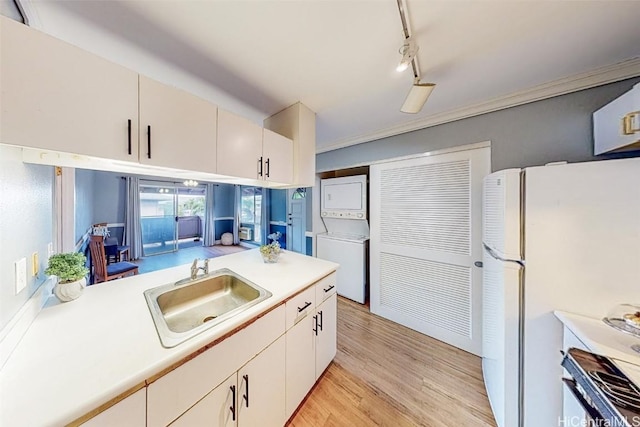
[(603, 339)]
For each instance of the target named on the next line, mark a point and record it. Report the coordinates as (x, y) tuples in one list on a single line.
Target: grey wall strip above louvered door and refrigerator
[(550, 130)]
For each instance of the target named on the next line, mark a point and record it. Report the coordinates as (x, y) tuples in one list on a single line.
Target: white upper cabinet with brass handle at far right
[(616, 126)]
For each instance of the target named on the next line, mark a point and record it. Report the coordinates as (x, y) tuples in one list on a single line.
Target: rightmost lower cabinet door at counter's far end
[(327, 333)]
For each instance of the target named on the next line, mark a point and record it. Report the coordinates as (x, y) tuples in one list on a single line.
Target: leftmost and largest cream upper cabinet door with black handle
[(58, 97)]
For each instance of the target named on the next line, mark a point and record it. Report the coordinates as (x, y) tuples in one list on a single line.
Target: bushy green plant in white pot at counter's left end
[(71, 272)]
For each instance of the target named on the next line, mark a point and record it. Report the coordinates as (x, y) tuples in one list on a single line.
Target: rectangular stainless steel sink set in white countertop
[(186, 308)]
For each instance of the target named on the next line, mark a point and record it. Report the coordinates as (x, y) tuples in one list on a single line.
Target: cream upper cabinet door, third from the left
[(239, 146)]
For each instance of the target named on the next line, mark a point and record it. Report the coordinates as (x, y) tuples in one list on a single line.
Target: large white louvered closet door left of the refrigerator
[(426, 220)]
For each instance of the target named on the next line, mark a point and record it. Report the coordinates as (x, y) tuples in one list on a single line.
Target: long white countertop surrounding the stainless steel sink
[(78, 355)]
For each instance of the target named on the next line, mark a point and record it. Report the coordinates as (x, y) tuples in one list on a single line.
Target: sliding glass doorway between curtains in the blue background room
[(171, 217)]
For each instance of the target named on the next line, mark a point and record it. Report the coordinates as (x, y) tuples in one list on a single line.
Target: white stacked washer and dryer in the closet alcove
[(343, 209)]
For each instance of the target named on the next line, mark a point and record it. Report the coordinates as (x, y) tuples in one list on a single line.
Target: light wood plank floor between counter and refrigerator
[(386, 374)]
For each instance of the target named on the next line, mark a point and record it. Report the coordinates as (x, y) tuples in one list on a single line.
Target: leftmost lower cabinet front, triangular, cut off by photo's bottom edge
[(129, 412)]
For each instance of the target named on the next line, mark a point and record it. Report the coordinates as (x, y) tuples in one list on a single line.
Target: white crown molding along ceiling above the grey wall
[(600, 76)]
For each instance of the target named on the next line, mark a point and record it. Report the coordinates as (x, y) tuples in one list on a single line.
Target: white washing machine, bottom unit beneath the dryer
[(351, 252)]
